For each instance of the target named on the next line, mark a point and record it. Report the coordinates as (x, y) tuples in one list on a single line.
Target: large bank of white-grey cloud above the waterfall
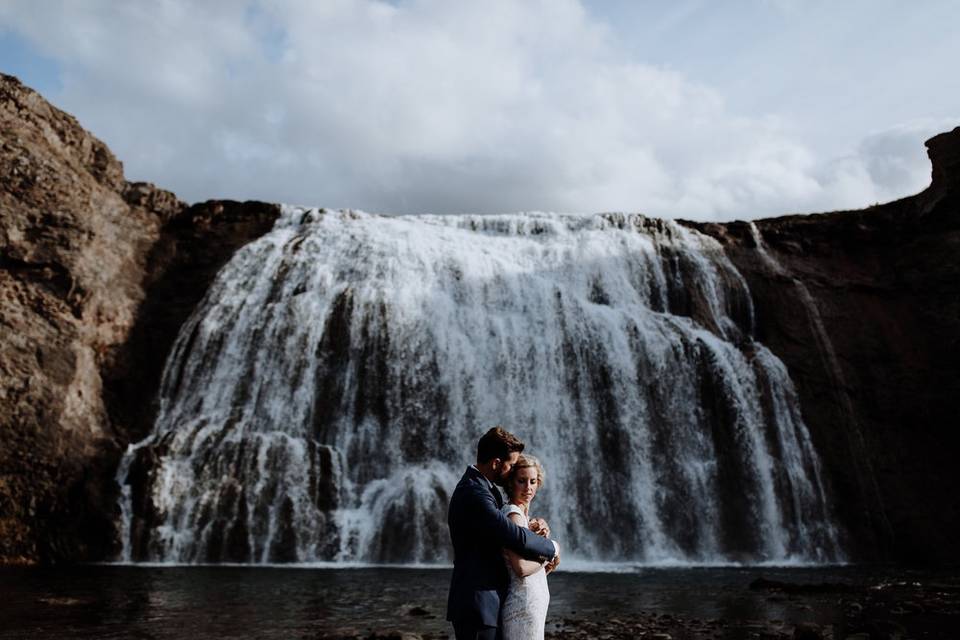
[(434, 106)]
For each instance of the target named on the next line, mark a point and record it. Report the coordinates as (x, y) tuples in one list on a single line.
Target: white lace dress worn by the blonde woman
[(524, 611)]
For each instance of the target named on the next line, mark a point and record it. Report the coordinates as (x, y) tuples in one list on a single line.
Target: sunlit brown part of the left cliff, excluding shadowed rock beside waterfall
[(72, 260)]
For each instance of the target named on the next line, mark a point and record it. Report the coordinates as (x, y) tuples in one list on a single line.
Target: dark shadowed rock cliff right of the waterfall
[(864, 309)]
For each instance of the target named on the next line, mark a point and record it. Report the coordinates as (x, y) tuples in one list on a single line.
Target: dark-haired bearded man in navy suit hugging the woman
[(480, 532)]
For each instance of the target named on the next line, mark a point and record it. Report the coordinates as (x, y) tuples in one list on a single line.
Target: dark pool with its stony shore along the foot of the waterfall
[(732, 603)]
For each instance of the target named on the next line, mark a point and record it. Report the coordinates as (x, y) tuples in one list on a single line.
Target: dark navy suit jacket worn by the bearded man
[(480, 533)]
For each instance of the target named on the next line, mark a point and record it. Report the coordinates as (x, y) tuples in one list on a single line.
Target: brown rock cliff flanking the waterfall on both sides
[(97, 274)]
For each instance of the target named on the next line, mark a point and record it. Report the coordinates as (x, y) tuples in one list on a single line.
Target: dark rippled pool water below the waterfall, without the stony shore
[(278, 602)]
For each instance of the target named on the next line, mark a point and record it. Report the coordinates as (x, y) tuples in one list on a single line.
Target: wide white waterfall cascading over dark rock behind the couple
[(324, 398)]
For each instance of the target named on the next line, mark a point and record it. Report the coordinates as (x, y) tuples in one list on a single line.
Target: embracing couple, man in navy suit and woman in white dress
[(501, 556)]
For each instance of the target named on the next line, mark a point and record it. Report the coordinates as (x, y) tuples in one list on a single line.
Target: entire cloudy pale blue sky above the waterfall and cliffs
[(695, 109)]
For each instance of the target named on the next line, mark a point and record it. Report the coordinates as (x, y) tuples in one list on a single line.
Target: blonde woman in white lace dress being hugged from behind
[(524, 611)]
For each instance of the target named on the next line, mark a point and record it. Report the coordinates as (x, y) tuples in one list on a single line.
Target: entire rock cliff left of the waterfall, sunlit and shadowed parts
[(79, 346)]
